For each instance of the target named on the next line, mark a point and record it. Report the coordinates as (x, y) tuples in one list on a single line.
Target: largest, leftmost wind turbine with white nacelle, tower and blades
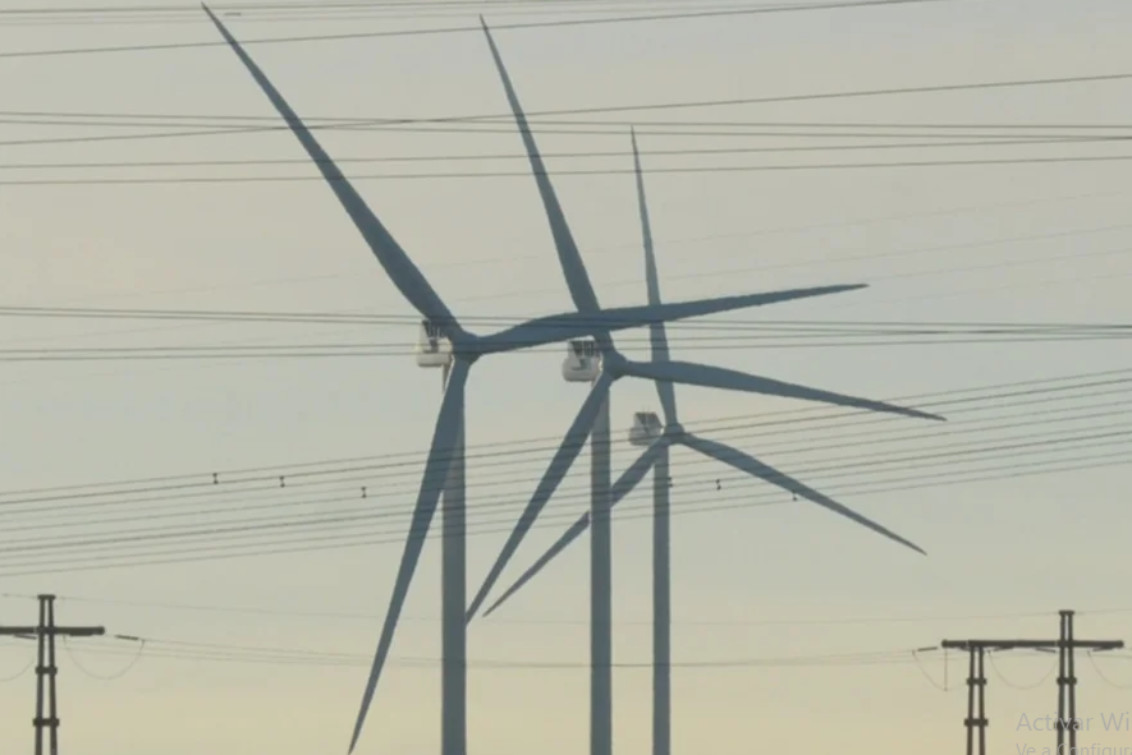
[(447, 344)]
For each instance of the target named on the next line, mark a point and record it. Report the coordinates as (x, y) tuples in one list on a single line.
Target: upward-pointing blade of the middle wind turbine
[(573, 268)]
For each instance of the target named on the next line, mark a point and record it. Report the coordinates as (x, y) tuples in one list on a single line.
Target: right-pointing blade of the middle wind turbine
[(718, 377)]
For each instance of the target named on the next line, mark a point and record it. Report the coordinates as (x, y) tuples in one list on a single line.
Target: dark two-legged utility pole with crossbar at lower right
[(1067, 683)]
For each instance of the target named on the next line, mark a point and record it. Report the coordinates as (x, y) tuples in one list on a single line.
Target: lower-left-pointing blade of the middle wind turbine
[(560, 465)]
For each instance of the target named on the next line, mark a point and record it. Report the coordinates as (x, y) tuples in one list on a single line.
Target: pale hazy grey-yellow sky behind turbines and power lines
[(1010, 243)]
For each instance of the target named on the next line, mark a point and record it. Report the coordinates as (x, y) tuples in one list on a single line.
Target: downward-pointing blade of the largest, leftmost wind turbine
[(436, 473)]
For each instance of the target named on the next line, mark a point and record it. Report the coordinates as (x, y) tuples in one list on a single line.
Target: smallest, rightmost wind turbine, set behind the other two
[(658, 439)]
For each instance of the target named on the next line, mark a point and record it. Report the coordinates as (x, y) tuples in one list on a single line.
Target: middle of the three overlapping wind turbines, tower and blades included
[(593, 422)]
